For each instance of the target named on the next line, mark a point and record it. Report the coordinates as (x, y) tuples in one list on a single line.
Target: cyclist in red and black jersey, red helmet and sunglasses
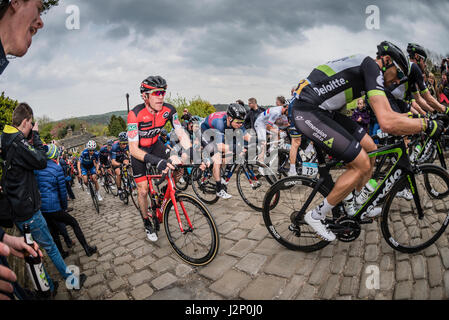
[(145, 123)]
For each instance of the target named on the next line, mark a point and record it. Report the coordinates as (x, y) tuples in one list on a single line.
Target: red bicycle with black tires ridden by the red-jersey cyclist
[(188, 224)]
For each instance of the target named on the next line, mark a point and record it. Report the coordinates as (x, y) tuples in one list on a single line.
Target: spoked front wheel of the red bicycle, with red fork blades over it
[(198, 245)]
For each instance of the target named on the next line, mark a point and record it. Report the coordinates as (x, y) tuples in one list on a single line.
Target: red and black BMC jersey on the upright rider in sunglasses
[(145, 127)]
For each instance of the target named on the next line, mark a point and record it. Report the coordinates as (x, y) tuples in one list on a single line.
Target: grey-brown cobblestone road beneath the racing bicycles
[(250, 264)]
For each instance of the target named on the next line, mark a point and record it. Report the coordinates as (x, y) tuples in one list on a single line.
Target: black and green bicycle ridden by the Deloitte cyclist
[(407, 226)]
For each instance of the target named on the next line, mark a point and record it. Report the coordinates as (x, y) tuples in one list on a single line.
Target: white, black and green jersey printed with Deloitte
[(331, 86)]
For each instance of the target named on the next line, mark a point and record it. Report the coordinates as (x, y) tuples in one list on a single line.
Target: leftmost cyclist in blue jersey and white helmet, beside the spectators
[(89, 162)]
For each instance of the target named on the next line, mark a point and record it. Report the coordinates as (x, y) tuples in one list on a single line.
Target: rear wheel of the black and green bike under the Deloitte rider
[(278, 224)]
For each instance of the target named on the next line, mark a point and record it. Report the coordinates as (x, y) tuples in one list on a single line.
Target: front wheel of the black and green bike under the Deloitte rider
[(405, 217)]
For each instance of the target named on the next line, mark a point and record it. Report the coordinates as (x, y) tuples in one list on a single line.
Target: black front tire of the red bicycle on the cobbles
[(171, 225)]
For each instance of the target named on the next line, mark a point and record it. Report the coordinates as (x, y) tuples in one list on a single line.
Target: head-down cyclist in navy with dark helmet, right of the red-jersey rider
[(232, 119)]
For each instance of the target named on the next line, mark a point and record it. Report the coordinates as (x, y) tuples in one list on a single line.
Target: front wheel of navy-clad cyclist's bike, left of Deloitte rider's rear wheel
[(253, 200)]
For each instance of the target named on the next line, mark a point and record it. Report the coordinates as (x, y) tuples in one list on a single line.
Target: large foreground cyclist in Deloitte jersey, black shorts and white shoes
[(315, 112)]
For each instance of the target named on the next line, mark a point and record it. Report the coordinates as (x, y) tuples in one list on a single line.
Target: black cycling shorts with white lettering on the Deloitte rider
[(334, 133)]
